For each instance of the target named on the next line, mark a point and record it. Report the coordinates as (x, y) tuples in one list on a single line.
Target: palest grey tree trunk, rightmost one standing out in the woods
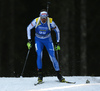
[(83, 38)]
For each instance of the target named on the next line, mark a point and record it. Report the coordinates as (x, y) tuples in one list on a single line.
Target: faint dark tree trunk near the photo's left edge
[(11, 39)]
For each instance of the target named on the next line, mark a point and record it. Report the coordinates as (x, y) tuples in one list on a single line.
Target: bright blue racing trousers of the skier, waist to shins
[(39, 45)]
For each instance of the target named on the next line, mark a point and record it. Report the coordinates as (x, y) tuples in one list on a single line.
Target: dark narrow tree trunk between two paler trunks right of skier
[(72, 39)]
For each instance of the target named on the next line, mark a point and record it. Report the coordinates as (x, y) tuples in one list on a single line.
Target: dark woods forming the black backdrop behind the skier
[(78, 21)]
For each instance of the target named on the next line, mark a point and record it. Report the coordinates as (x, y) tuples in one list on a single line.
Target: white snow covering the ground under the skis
[(50, 84)]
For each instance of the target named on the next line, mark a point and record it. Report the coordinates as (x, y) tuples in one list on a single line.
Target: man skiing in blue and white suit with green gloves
[(43, 26)]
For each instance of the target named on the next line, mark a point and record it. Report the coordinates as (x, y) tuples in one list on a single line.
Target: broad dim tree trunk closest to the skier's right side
[(64, 44)]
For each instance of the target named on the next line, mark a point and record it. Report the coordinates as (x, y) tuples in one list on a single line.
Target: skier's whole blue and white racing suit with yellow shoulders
[(43, 38)]
